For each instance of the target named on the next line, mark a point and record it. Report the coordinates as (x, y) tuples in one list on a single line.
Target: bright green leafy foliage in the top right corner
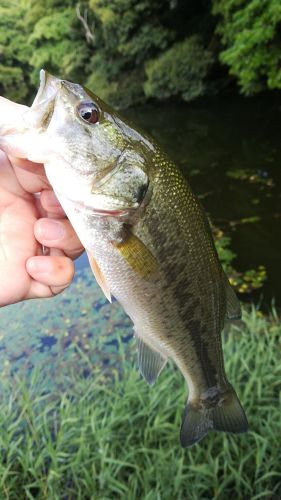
[(251, 36)]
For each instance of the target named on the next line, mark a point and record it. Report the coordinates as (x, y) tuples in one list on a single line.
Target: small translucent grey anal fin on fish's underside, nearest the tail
[(150, 362)]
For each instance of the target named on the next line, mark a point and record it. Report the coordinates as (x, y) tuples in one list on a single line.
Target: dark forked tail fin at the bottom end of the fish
[(227, 415)]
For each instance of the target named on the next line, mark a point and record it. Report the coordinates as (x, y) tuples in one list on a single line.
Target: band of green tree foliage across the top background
[(130, 50)]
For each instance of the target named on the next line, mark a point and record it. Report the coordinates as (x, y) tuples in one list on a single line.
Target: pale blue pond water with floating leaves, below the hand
[(54, 337)]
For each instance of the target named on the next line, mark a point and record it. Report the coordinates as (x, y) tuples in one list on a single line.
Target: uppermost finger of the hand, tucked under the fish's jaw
[(30, 175)]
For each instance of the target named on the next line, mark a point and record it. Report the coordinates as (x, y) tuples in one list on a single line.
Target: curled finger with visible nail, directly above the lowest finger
[(58, 233)]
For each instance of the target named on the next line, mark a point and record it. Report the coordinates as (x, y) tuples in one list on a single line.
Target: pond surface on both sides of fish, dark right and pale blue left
[(208, 140)]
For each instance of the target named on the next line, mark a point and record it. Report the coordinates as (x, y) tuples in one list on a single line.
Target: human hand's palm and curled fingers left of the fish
[(25, 272)]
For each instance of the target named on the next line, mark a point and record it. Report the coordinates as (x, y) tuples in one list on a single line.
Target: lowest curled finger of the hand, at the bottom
[(51, 275)]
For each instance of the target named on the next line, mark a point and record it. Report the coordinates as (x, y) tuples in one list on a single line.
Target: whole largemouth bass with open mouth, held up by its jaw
[(148, 240)]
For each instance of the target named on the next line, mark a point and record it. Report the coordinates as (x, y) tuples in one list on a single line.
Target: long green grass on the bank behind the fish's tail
[(117, 438)]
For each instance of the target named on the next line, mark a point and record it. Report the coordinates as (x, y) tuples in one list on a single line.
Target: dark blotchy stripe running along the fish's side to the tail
[(193, 309)]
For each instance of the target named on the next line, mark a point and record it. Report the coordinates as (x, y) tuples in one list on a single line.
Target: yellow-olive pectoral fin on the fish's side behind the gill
[(138, 257)]
